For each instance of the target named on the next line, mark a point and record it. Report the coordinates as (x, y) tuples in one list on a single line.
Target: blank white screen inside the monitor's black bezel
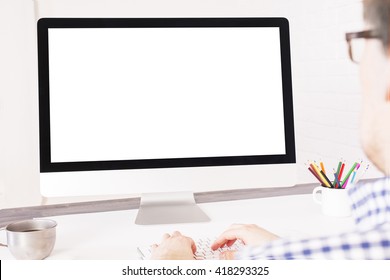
[(150, 93)]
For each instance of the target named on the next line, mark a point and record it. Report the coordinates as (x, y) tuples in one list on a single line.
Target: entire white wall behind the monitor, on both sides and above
[(326, 86)]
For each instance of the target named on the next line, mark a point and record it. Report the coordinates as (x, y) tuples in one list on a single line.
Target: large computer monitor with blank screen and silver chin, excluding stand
[(146, 105)]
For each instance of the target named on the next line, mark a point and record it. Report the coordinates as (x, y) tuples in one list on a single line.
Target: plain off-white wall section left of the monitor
[(19, 170)]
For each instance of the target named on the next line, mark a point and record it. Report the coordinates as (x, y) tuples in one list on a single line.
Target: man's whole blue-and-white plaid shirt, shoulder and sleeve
[(370, 239)]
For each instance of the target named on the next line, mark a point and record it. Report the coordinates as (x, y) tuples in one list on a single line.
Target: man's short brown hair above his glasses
[(376, 13)]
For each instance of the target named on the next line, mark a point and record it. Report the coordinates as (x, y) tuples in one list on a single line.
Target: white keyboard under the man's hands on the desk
[(203, 250)]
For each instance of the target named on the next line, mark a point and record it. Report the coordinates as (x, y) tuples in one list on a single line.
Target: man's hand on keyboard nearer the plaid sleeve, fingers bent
[(249, 234)]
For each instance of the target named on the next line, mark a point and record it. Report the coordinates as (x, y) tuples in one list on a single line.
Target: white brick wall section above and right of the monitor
[(326, 83)]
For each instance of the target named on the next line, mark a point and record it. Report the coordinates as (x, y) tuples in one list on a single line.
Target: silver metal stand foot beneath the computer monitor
[(169, 208)]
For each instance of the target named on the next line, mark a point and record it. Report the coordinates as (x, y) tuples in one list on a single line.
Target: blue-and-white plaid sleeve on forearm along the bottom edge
[(371, 244)]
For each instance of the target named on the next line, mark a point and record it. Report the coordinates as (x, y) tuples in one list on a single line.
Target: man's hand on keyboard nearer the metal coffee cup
[(174, 247)]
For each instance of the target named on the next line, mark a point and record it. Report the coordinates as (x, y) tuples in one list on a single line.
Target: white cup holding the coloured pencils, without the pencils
[(334, 202)]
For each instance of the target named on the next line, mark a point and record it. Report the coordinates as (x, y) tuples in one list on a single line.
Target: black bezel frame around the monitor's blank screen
[(44, 24)]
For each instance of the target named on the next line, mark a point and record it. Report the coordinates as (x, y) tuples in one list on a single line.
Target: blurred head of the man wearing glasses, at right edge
[(375, 78)]
